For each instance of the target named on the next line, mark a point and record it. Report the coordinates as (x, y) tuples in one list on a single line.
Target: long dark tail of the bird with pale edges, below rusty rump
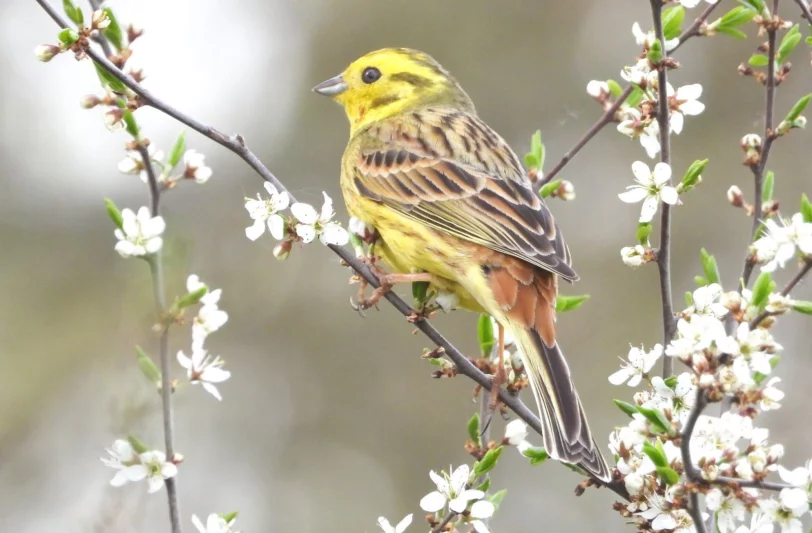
[(565, 430)]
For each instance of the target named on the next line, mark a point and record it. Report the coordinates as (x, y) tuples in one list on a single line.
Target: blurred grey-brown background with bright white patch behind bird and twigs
[(329, 420)]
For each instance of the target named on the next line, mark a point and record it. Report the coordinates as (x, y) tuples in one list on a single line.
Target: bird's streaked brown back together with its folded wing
[(451, 177)]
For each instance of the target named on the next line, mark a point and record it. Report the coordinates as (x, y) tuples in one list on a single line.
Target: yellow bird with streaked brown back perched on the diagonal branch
[(452, 205)]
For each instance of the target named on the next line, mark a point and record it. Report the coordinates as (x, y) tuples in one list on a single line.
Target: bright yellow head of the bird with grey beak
[(391, 81)]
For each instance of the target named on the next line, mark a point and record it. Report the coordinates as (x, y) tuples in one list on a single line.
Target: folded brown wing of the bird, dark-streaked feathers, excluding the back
[(470, 203)]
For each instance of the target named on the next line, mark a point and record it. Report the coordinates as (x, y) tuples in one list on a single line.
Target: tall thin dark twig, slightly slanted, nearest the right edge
[(767, 142)]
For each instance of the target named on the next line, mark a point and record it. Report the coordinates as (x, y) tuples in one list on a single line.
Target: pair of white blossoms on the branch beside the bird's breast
[(305, 224)]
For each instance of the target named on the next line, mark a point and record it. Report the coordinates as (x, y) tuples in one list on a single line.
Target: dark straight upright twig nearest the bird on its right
[(664, 251)]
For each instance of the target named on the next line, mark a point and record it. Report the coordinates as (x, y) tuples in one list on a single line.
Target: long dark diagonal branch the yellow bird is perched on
[(236, 144)]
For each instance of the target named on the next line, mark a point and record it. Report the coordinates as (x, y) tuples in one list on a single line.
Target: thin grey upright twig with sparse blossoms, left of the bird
[(158, 287)]
